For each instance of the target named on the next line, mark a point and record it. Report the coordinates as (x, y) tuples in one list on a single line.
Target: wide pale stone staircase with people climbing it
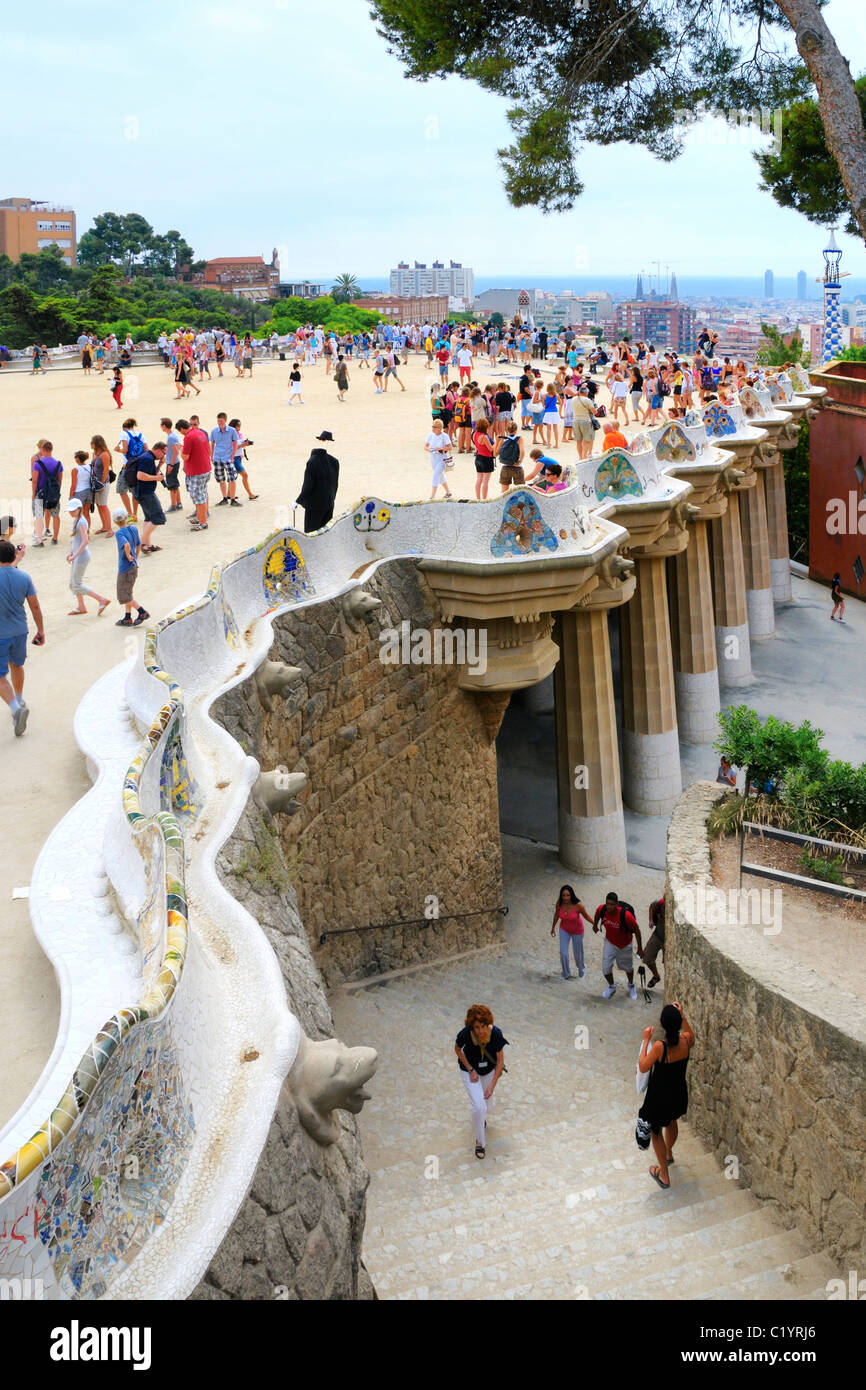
[(564, 1206)]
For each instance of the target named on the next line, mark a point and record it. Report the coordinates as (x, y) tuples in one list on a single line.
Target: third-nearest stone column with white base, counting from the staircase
[(694, 640)]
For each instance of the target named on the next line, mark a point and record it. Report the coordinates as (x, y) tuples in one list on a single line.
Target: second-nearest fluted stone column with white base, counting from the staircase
[(651, 747)]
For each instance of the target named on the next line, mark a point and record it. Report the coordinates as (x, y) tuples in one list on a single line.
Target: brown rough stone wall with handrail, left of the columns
[(402, 799)]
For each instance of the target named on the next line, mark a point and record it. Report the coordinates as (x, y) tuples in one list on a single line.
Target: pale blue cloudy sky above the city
[(277, 124)]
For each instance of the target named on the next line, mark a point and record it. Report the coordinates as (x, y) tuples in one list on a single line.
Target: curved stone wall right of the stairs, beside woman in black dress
[(778, 1078)]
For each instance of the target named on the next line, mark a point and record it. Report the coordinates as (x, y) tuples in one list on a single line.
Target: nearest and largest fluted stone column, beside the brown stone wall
[(591, 825)]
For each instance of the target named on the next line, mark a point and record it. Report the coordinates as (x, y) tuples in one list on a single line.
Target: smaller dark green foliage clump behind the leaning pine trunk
[(800, 172)]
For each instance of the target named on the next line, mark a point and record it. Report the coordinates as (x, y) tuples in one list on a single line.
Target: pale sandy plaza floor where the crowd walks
[(380, 445)]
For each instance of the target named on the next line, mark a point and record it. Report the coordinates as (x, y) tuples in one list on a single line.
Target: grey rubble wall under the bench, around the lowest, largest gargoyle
[(300, 1231)]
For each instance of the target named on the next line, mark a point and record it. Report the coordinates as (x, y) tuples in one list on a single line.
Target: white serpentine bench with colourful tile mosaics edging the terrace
[(131, 1157)]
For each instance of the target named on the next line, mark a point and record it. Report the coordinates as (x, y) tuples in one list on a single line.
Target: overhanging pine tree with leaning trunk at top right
[(603, 72)]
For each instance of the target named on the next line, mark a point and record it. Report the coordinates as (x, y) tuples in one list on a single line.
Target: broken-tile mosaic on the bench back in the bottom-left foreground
[(104, 1199)]
